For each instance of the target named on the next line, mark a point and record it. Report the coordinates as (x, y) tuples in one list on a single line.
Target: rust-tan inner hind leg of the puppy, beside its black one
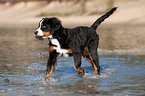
[(88, 57)]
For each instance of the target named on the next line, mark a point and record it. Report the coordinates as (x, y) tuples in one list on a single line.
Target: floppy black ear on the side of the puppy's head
[(55, 24)]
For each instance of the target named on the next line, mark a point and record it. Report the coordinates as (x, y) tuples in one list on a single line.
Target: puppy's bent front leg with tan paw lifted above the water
[(77, 64)]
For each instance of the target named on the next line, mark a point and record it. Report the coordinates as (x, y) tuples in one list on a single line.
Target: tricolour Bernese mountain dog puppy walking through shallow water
[(77, 42)]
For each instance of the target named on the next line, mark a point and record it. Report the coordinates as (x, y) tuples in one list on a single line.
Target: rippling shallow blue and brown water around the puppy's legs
[(22, 67)]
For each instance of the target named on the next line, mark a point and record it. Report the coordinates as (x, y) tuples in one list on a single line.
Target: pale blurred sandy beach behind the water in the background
[(21, 14)]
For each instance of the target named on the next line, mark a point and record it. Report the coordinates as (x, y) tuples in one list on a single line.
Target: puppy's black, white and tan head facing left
[(47, 27)]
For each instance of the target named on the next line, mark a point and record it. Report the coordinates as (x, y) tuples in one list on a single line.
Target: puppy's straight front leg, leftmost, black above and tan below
[(52, 61)]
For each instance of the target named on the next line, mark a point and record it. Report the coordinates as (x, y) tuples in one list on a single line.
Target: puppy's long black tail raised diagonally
[(102, 18)]
